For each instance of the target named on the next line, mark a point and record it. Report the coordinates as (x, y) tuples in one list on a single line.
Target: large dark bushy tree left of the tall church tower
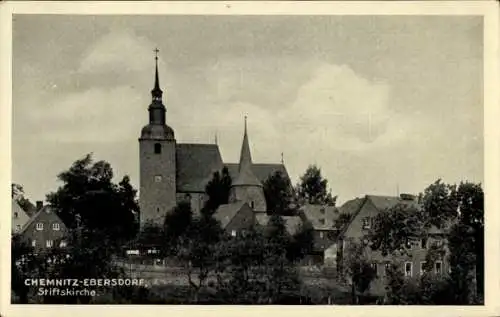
[(89, 194)]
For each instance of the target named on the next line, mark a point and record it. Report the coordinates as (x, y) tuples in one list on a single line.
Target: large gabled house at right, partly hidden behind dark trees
[(362, 221)]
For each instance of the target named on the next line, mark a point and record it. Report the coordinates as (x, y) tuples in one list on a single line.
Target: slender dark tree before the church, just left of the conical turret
[(217, 191)]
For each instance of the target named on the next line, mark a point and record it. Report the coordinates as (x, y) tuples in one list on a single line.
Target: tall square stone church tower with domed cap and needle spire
[(157, 147)]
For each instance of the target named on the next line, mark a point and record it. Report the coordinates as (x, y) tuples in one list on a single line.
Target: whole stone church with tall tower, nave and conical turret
[(171, 172)]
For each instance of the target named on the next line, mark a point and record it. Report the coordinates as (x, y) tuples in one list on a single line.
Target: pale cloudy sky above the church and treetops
[(382, 104)]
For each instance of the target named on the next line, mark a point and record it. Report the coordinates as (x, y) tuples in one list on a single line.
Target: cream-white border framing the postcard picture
[(489, 10)]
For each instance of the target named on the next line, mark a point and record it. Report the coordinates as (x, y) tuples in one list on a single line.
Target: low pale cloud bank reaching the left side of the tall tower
[(95, 116)]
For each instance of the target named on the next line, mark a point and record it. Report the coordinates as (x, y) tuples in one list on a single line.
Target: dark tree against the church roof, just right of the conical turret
[(278, 194)]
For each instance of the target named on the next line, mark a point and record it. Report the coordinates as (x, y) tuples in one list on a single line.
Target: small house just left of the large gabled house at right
[(322, 218)]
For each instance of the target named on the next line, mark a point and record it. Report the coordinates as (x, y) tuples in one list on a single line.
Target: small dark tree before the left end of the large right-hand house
[(357, 268)]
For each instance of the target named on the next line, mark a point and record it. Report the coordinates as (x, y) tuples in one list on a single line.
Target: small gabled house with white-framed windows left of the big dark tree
[(45, 230)]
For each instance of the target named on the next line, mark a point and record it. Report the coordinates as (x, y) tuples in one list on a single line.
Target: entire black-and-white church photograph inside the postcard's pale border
[(247, 159)]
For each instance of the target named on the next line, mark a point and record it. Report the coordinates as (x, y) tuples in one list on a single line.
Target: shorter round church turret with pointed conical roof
[(247, 187)]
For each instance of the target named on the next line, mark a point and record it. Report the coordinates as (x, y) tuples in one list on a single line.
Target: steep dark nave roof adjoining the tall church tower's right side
[(196, 164)]
